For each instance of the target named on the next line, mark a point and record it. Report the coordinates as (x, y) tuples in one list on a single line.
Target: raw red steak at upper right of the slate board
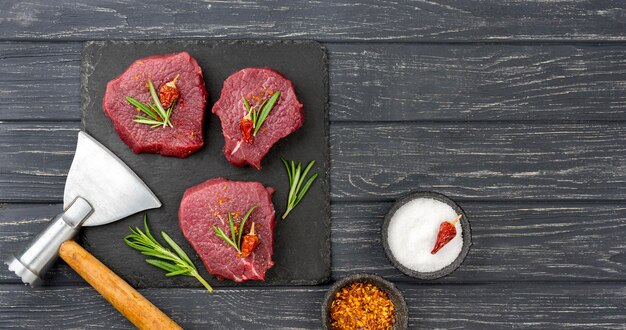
[(256, 85)]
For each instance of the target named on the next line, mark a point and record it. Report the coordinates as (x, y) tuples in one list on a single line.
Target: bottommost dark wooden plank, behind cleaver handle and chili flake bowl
[(496, 306)]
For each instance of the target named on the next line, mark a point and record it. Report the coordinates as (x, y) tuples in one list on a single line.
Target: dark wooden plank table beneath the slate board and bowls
[(515, 109)]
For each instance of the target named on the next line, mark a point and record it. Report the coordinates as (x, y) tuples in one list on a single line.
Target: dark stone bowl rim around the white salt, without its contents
[(467, 236)]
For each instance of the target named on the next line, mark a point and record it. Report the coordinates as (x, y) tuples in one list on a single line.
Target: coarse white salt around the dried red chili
[(412, 233)]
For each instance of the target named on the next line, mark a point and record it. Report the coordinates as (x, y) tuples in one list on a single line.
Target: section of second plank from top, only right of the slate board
[(477, 82)]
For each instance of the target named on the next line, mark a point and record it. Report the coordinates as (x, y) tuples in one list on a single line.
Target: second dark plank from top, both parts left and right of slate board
[(396, 82)]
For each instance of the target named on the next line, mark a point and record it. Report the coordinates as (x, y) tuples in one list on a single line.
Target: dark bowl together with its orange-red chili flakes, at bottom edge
[(364, 302)]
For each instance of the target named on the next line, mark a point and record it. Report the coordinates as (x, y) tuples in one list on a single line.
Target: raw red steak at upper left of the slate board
[(185, 137)]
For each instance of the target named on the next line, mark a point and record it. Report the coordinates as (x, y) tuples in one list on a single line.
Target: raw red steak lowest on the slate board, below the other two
[(208, 204)]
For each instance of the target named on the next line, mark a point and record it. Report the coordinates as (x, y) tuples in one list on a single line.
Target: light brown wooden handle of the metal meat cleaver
[(137, 309)]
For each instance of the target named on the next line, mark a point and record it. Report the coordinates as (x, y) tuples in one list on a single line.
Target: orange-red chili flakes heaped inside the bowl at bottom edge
[(361, 306)]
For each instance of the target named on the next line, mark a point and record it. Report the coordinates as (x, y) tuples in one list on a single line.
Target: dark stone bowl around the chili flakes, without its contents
[(401, 312)]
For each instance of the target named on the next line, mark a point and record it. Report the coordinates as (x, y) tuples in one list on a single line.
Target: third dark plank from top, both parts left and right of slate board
[(472, 161)]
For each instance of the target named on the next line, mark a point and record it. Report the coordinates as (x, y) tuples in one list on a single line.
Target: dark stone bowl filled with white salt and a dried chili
[(426, 235)]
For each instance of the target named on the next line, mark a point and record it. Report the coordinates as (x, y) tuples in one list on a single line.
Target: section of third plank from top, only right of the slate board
[(479, 161)]
